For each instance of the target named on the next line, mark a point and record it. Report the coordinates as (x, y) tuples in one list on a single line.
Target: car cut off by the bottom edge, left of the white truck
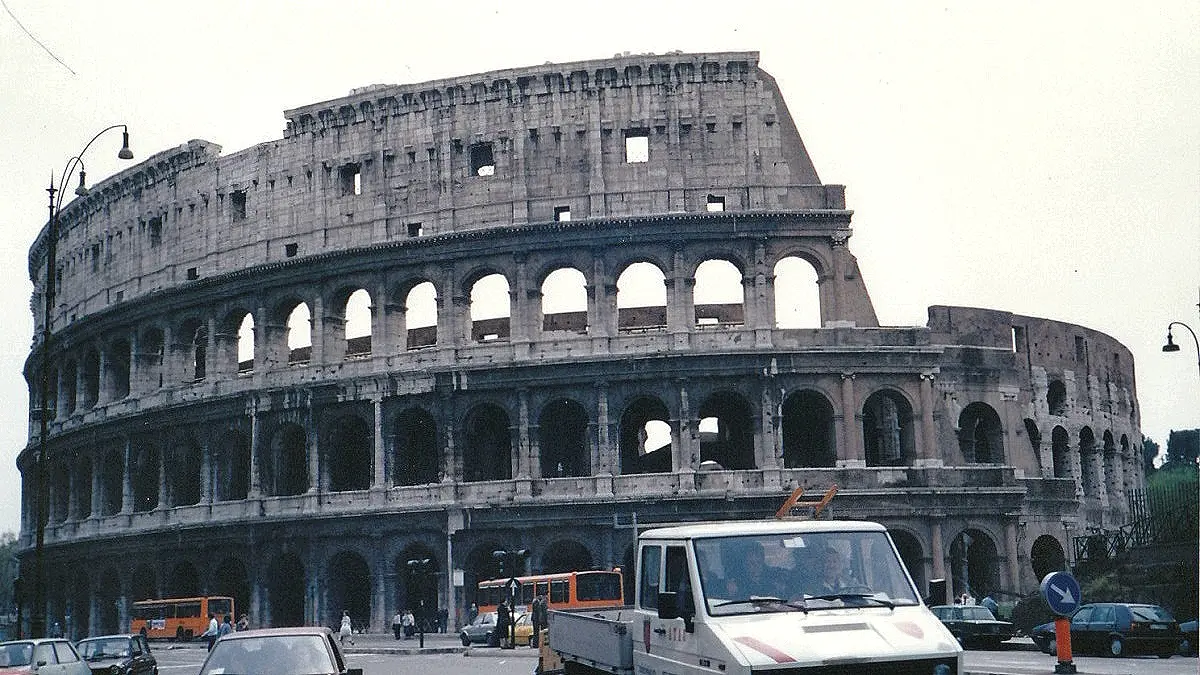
[(279, 652)]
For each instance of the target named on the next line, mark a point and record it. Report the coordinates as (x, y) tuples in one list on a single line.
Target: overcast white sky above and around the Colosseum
[(1041, 158)]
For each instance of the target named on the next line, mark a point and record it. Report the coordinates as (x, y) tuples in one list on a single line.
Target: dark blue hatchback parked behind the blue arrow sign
[(1115, 630)]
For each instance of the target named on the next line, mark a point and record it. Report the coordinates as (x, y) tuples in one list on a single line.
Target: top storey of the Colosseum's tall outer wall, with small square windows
[(716, 126)]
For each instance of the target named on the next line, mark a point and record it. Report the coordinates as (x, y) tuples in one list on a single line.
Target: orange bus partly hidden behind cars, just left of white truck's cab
[(565, 590)]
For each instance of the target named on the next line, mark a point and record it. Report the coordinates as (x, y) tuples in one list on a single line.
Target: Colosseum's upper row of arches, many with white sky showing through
[(350, 321)]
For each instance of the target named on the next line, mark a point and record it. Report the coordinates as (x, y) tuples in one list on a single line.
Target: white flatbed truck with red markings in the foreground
[(818, 598)]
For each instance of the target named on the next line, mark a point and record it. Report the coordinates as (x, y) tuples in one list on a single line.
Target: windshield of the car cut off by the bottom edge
[(271, 655)]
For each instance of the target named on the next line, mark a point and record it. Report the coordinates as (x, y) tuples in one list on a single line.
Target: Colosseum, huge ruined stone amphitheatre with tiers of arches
[(537, 308)]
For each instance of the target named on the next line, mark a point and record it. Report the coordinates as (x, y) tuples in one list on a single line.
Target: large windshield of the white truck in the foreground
[(793, 572)]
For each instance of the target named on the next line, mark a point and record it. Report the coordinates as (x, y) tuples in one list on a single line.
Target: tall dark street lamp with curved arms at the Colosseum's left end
[(38, 618)]
